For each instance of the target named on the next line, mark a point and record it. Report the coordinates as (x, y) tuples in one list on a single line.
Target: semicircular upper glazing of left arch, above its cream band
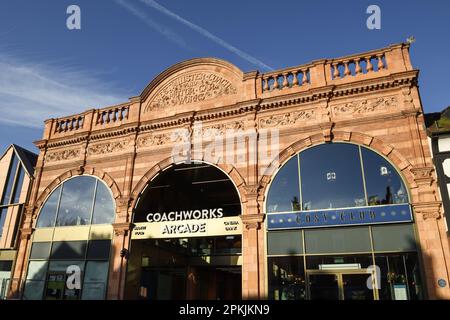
[(82, 200)]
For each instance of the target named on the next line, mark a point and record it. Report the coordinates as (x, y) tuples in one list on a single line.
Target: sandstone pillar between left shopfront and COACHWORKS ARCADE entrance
[(118, 260)]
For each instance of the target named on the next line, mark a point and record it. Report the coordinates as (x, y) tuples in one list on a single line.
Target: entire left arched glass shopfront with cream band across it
[(73, 230)]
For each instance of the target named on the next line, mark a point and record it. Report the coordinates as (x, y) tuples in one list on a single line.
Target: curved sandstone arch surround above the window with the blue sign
[(402, 165)]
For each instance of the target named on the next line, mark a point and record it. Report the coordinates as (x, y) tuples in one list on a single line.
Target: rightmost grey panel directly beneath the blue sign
[(399, 237)]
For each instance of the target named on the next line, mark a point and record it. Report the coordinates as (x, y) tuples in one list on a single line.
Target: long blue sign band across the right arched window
[(340, 217)]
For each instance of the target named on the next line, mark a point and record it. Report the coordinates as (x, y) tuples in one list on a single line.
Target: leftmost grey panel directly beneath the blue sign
[(284, 242)]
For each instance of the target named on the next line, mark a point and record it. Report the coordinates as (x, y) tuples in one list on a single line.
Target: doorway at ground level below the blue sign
[(340, 285)]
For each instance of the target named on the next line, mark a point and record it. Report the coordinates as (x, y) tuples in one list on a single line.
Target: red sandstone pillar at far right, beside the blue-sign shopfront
[(433, 243)]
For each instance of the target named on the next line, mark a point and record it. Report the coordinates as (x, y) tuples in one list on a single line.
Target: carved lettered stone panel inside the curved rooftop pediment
[(191, 88)]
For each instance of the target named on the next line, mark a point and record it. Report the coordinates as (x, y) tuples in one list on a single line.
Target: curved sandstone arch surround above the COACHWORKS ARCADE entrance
[(229, 170)]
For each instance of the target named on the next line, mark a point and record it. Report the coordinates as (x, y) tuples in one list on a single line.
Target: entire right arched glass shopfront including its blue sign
[(340, 228)]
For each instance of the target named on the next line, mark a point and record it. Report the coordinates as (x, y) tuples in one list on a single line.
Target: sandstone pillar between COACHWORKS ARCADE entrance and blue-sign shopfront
[(253, 276)]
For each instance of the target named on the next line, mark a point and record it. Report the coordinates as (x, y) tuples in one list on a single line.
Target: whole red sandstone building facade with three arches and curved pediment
[(366, 106)]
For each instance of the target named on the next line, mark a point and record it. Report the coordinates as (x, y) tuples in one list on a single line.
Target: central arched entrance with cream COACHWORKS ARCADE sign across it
[(186, 243)]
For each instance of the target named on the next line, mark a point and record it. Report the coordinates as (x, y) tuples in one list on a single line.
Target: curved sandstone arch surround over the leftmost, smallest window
[(103, 176)]
